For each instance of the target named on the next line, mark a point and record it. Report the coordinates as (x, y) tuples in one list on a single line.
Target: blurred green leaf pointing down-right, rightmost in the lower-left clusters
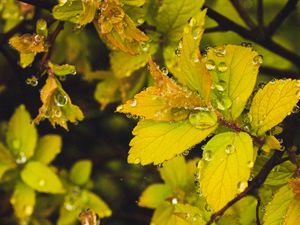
[(95, 203)]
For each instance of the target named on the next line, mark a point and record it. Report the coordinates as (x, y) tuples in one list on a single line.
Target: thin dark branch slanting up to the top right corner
[(281, 16)]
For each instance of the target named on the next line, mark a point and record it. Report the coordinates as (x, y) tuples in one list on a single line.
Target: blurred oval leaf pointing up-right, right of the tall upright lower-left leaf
[(47, 148)]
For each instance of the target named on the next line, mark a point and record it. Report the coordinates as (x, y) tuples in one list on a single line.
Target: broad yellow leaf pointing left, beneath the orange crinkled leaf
[(154, 142)]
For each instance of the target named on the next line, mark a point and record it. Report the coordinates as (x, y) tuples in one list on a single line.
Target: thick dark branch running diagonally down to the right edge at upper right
[(253, 36)]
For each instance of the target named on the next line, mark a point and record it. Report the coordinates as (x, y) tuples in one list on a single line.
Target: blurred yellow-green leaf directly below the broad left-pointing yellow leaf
[(175, 172)]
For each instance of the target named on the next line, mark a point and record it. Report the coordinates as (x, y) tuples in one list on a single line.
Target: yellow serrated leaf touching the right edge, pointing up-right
[(273, 103)]
